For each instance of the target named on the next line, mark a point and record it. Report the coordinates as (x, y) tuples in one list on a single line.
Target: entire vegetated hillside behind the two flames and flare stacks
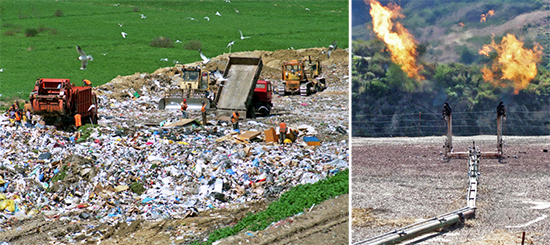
[(385, 102)]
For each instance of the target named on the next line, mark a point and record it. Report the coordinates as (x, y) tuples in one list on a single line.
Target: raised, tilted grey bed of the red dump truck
[(242, 73)]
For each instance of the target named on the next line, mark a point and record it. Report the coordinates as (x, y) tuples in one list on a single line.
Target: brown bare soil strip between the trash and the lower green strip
[(43, 230)]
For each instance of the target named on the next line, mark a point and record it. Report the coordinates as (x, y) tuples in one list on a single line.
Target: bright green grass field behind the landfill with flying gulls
[(271, 24)]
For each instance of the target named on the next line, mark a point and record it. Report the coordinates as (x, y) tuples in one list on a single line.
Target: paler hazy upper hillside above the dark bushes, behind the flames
[(452, 28)]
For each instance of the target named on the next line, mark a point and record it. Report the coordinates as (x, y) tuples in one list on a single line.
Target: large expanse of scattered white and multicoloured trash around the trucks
[(139, 164)]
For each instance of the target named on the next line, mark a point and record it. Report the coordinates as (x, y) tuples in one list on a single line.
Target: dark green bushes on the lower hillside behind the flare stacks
[(384, 101)]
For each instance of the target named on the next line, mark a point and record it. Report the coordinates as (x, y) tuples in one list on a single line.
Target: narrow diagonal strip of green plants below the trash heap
[(290, 203)]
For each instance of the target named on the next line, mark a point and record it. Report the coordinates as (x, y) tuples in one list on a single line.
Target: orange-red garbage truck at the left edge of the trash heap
[(59, 100)]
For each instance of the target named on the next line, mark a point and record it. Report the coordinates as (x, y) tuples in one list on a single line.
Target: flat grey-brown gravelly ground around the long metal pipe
[(399, 181)]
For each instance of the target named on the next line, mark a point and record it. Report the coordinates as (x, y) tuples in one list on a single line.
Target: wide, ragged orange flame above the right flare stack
[(513, 62)]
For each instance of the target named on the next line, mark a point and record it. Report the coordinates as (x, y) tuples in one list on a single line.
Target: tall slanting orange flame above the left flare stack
[(398, 39)]
